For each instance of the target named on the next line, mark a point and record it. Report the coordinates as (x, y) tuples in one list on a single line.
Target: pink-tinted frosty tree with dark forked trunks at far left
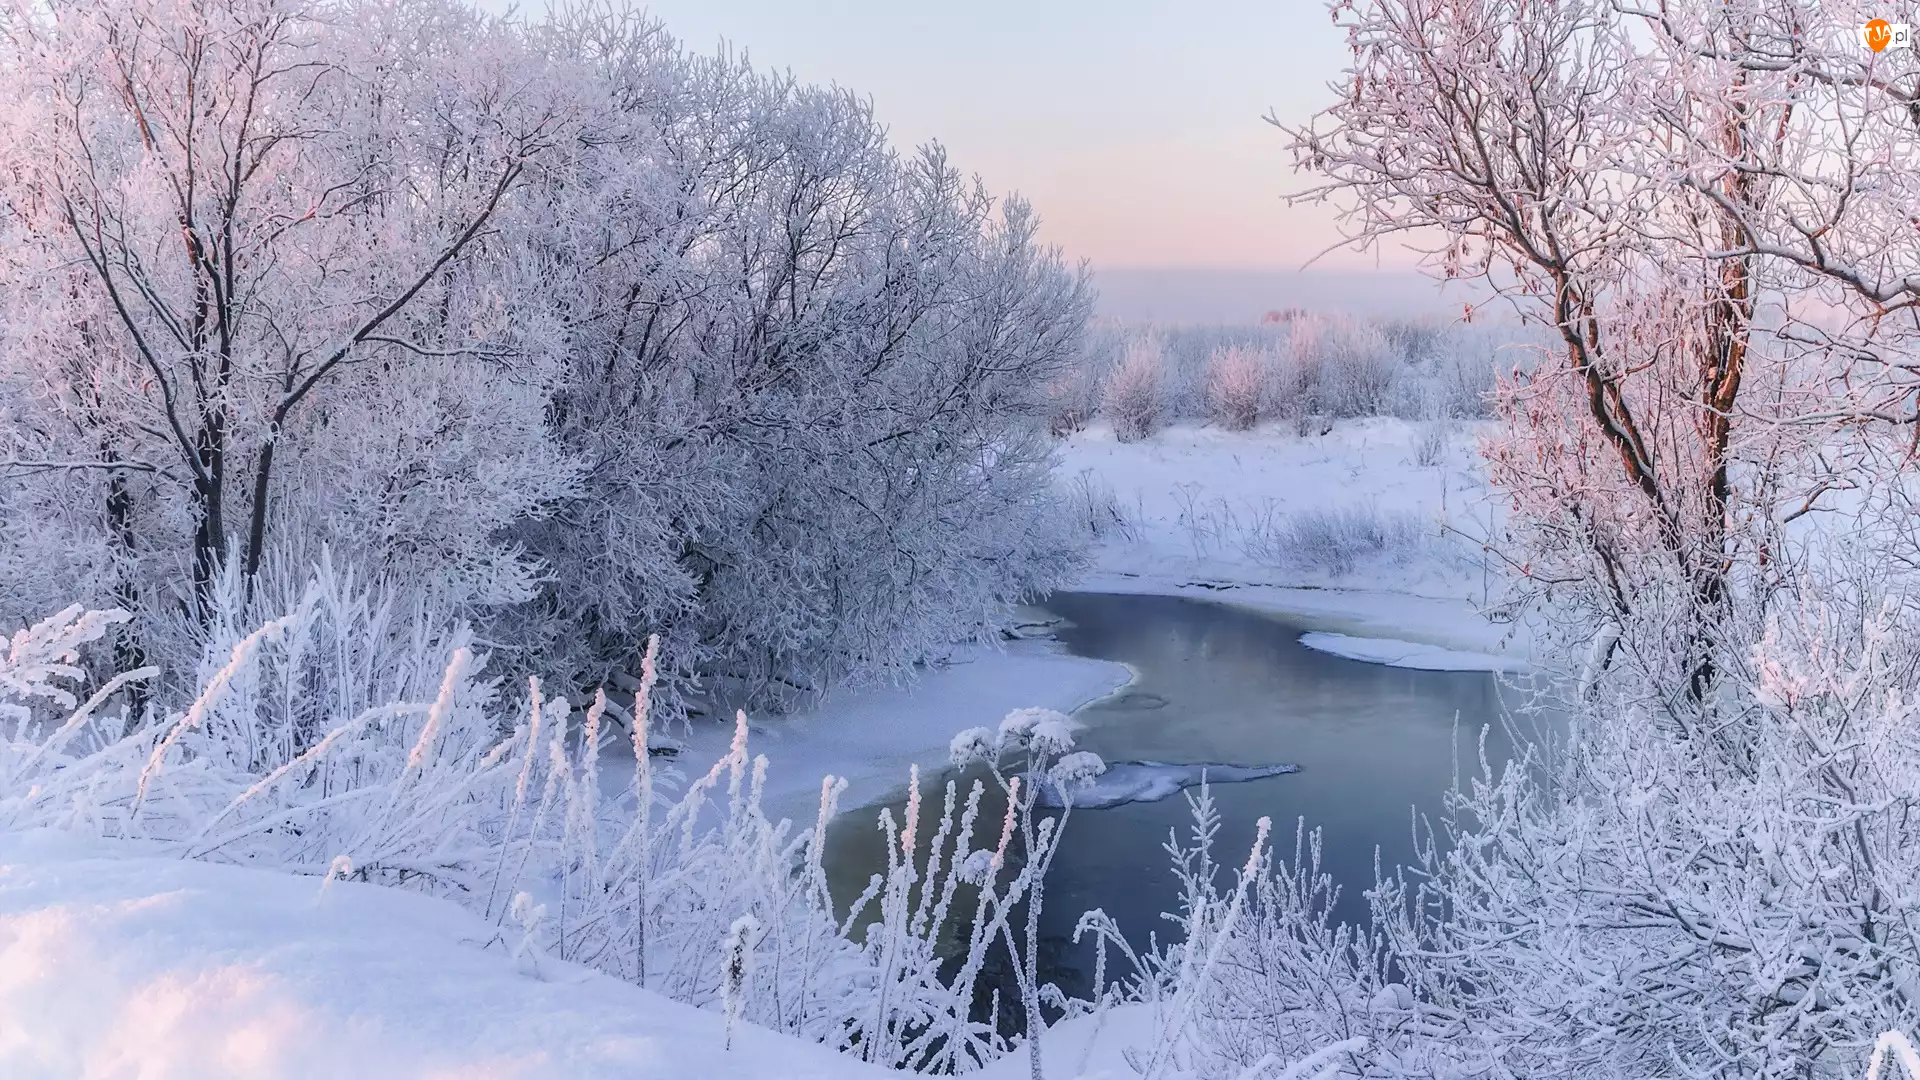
[(260, 295)]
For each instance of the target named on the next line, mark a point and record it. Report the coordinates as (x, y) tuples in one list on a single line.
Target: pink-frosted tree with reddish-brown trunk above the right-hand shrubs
[(1683, 195)]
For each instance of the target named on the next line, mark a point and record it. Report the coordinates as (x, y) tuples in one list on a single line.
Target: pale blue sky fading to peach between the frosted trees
[(1134, 126)]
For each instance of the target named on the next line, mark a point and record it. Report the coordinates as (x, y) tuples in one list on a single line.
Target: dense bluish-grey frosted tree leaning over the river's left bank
[(807, 380)]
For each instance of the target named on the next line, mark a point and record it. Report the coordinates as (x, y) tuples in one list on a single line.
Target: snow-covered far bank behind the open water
[(1237, 518)]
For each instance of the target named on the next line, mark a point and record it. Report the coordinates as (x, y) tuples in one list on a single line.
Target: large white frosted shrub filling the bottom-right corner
[(1787, 827)]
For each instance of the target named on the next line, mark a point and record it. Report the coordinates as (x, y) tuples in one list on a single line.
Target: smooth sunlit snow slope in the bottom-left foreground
[(118, 962)]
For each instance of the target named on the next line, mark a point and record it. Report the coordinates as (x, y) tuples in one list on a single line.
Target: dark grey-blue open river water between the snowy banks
[(1228, 685)]
